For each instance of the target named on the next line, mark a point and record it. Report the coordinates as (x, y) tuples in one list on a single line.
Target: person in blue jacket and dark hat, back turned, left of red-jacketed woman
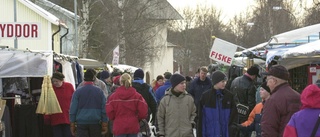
[(88, 116)]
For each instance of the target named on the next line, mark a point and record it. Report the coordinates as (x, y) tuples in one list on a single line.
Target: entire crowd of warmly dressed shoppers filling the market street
[(207, 105)]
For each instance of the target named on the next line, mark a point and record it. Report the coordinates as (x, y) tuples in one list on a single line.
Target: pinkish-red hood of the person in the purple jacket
[(310, 97)]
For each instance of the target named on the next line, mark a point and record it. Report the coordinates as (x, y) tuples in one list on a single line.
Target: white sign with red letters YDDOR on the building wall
[(20, 30)]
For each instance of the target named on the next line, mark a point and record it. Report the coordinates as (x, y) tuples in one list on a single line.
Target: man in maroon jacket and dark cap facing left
[(282, 104)]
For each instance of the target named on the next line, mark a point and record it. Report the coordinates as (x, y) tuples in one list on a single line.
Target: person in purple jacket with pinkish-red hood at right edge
[(303, 122)]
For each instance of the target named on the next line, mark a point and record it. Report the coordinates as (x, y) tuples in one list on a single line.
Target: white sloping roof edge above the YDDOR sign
[(45, 14)]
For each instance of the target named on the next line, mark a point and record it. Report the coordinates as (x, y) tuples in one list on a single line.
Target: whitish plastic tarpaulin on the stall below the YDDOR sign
[(25, 63)]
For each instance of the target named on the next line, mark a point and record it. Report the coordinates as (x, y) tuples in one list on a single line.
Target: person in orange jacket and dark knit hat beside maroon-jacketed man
[(253, 122)]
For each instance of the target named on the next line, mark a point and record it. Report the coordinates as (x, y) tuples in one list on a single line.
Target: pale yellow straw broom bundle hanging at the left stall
[(48, 103)]
